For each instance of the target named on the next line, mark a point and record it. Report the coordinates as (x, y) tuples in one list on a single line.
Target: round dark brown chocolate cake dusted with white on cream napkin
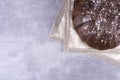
[(97, 22)]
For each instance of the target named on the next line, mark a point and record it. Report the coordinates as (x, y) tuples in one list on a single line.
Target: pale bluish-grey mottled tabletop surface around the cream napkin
[(26, 52)]
